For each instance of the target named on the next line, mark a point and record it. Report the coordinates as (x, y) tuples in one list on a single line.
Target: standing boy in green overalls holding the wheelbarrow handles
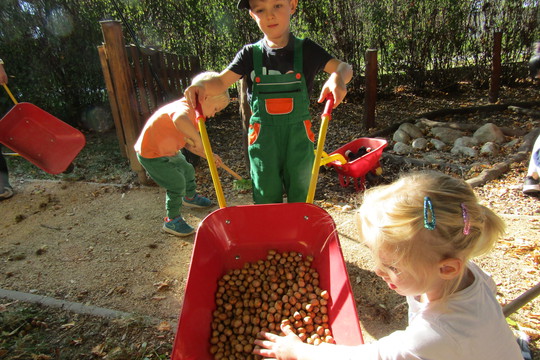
[(280, 70)]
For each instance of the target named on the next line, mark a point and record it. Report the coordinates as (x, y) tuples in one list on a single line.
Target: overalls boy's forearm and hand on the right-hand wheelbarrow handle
[(340, 74)]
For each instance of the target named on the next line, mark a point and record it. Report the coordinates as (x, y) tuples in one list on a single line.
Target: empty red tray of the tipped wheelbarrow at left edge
[(39, 137)]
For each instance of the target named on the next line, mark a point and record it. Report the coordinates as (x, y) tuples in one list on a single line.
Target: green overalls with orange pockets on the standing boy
[(281, 143)]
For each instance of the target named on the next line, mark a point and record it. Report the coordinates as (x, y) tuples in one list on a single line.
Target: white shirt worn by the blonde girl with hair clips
[(470, 326)]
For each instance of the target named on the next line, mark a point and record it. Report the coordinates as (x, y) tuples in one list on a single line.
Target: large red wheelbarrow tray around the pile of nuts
[(231, 236)]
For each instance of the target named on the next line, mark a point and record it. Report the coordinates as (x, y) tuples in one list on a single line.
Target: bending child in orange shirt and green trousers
[(158, 149)]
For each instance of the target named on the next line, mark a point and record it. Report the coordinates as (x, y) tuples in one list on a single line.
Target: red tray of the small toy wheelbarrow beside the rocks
[(361, 166)]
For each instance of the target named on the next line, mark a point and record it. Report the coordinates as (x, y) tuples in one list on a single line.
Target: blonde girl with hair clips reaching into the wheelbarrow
[(422, 230)]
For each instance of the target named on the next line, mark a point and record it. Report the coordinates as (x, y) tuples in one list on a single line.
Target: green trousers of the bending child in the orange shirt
[(168, 173)]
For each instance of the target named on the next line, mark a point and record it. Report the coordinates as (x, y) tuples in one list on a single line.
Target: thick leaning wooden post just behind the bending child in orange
[(115, 51)]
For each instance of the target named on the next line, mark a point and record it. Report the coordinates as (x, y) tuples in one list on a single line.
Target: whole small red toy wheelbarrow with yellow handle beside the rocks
[(355, 171)]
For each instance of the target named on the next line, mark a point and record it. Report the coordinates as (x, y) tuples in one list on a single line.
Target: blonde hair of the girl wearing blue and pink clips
[(391, 220)]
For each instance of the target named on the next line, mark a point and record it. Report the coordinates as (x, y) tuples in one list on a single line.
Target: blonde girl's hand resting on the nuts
[(279, 347)]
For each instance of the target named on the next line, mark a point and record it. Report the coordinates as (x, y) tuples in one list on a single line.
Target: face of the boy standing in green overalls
[(273, 16)]
